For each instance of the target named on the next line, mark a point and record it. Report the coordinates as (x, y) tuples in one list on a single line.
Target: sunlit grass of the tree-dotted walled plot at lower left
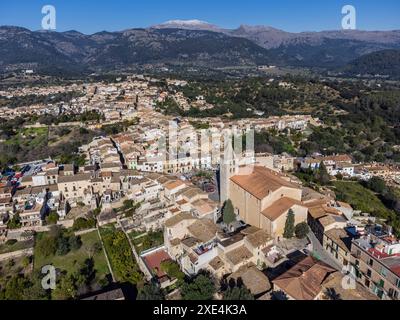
[(74, 259)]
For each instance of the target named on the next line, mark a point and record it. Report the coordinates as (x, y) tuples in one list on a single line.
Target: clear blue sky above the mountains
[(90, 16)]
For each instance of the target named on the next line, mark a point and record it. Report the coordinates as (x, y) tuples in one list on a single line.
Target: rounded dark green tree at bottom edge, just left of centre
[(200, 288)]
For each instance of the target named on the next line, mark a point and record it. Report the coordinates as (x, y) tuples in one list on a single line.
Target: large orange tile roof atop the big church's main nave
[(261, 182)]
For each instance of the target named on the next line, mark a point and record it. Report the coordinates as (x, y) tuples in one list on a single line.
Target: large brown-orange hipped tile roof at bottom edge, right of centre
[(304, 280)]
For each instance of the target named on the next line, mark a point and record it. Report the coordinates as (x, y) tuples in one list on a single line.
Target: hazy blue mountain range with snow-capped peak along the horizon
[(188, 43)]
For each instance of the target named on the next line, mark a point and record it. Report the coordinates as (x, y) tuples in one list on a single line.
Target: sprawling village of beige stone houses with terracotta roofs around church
[(236, 215)]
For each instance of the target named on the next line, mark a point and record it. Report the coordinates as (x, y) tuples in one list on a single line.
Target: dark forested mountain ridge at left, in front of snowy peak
[(70, 51)]
